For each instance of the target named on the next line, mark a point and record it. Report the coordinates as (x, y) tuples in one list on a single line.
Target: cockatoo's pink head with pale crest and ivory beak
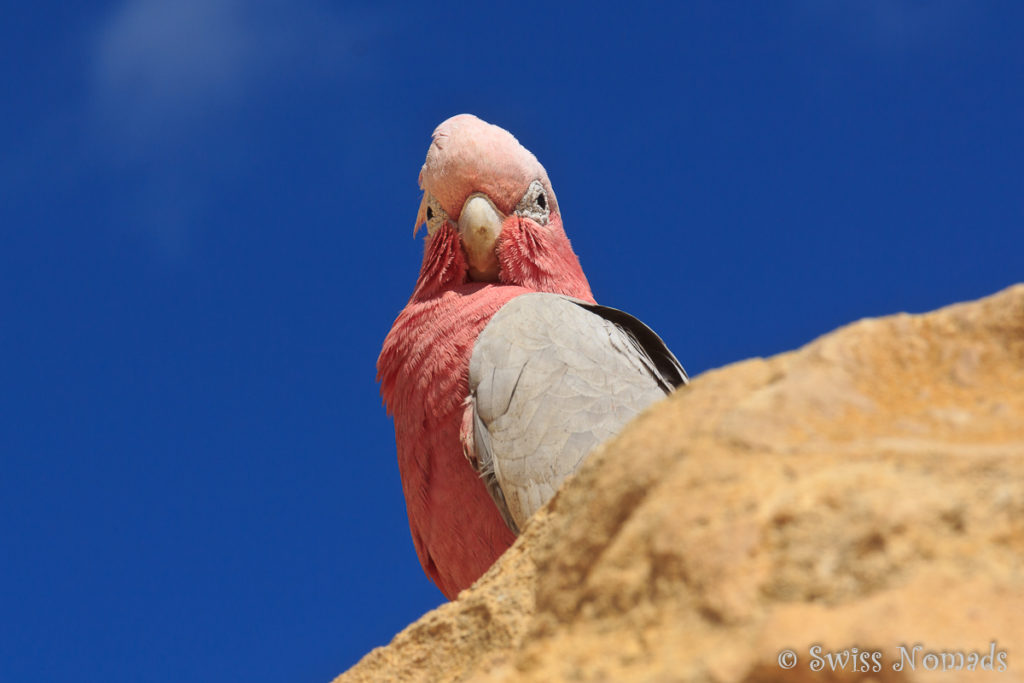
[(491, 215)]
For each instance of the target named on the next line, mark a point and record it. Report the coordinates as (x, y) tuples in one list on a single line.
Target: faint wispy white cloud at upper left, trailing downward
[(172, 79)]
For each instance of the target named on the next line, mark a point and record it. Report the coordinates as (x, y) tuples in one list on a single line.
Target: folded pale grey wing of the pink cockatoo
[(551, 378)]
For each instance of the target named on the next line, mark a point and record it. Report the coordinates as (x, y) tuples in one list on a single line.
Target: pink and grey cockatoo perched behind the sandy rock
[(502, 373)]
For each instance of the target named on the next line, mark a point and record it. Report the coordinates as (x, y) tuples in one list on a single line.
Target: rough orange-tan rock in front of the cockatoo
[(864, 492)]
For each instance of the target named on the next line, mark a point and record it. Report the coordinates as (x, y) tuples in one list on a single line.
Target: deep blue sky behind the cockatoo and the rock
[(205, 235)]
